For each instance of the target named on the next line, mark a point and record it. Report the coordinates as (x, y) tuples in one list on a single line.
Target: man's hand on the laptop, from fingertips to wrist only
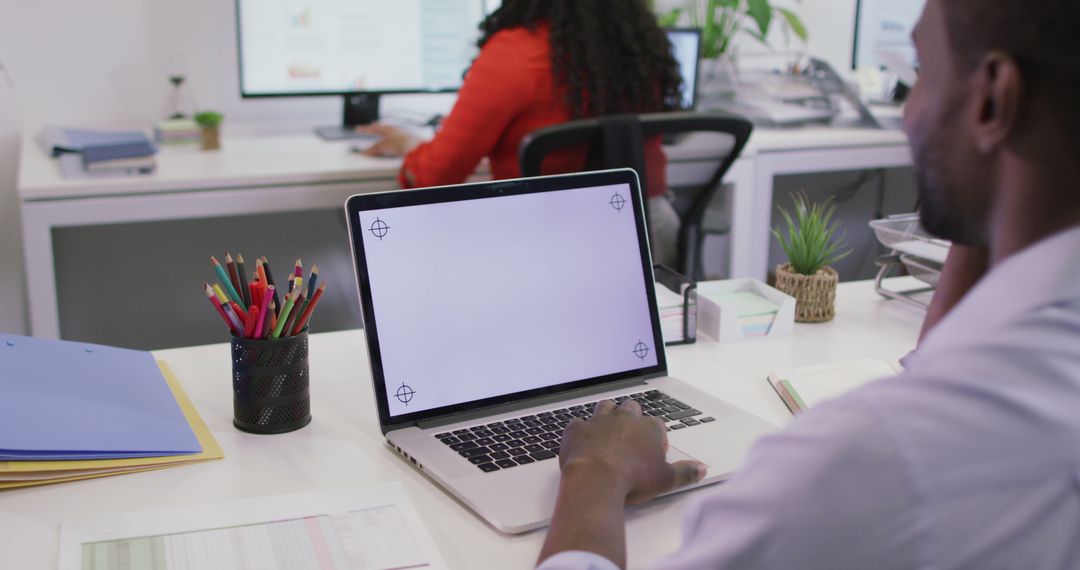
[(627, 451)]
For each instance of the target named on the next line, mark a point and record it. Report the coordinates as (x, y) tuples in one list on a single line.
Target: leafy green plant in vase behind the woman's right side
[(721, 22)]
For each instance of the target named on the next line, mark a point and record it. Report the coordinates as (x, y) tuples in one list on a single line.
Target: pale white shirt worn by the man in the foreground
[(970, 459)]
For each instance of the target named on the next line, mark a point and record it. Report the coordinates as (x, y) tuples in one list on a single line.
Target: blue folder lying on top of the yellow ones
[(62, 401)]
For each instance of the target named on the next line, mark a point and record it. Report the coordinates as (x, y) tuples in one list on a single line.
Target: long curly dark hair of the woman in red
[(610, 57)]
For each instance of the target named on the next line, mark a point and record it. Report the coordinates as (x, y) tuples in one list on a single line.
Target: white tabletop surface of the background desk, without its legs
[(277, 160)]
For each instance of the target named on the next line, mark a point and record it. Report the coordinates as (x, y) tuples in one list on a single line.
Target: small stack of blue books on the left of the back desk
[(120, 153)]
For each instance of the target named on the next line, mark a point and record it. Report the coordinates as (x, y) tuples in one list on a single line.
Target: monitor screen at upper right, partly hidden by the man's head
[(884, 33)]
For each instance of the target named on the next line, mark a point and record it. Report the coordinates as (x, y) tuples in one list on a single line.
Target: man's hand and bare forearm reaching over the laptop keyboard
[(616, 457)]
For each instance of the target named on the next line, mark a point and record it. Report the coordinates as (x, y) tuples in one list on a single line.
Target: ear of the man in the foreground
[(1000, 89)]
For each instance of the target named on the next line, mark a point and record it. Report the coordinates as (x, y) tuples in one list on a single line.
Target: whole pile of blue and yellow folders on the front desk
[(73, 411)]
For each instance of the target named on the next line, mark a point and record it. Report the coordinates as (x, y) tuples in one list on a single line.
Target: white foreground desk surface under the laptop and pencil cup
[(343, 446)]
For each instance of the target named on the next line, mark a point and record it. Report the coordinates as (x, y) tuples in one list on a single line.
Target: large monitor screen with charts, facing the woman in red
[(342, 47)]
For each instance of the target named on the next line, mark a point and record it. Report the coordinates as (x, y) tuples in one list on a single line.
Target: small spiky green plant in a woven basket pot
[(813, 247)]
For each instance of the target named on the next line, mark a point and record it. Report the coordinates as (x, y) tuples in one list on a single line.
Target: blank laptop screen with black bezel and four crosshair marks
[(482, 294)]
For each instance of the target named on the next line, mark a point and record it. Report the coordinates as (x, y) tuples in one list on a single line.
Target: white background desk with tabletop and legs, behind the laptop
[(256, 175)]
